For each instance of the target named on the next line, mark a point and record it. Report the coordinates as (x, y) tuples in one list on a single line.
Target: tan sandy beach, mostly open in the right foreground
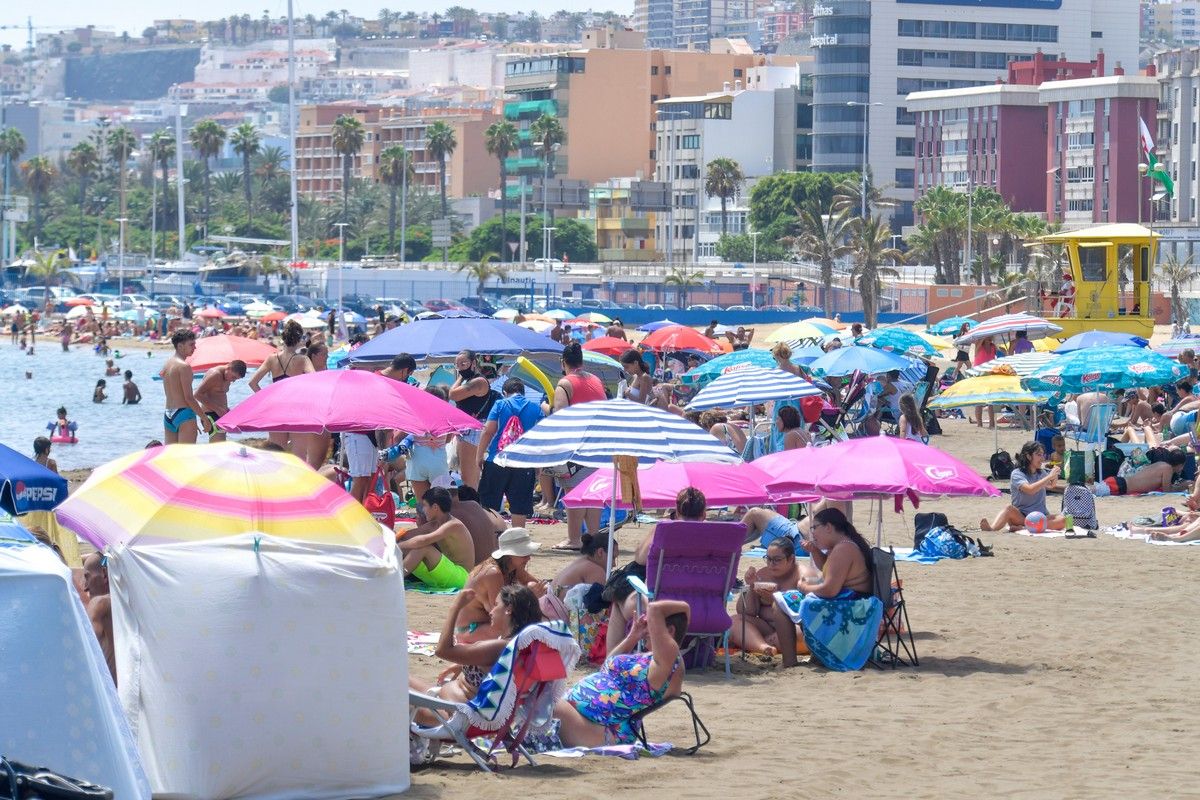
[(1059, 669)]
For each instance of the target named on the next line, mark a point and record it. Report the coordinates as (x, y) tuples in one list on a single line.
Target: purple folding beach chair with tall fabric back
[(698, 563)]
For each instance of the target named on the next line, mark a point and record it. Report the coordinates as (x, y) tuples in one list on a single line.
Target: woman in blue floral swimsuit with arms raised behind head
[(598, 709)]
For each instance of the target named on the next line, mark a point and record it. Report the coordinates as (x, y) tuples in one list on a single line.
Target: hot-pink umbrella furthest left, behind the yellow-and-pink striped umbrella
[(346, 400)]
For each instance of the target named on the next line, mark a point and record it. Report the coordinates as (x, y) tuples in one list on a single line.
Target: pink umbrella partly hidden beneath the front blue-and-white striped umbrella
[(724, 485)]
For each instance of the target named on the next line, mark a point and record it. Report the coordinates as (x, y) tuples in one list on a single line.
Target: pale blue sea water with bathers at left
[(106, 430)]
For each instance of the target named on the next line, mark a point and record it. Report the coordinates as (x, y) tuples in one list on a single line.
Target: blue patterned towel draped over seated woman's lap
[(841, 631)]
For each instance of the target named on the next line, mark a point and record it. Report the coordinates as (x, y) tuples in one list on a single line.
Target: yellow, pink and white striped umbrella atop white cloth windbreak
[(183, 494)]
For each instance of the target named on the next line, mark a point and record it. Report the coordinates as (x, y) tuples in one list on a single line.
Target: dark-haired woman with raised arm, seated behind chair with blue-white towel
[(514, 610)]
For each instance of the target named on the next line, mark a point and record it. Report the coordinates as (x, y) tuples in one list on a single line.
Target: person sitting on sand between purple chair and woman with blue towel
[(759, 625)]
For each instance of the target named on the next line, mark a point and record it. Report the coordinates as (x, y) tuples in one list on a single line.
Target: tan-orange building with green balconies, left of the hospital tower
[(605, 101)]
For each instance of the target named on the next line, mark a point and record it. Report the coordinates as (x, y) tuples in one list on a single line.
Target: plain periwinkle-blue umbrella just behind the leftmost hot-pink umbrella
[(445, 339)]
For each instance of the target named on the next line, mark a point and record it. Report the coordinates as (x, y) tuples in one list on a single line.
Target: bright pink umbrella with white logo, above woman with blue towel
[(873, 468)]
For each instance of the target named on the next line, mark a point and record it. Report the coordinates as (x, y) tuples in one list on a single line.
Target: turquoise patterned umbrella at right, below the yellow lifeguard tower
[(1106, 369)]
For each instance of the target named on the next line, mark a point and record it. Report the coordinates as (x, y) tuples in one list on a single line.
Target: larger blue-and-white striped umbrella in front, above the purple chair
[(592, 434)]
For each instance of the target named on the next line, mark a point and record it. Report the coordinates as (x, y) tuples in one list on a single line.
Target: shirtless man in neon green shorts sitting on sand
[(440, 556)]
